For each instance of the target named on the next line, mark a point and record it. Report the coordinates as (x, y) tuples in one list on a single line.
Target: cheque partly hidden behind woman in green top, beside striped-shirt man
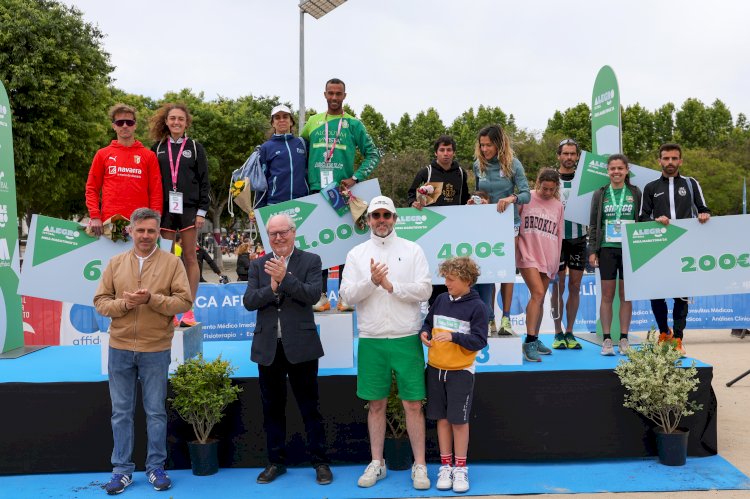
[(591, 174)]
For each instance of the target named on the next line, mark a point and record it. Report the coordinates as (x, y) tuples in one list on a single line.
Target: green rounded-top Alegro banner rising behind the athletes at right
[(606, 127)]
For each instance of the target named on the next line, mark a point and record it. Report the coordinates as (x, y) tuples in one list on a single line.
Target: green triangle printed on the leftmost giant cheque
[(55, 237)]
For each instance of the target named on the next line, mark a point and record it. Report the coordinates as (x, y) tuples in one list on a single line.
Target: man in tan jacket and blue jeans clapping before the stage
[(141, 290)]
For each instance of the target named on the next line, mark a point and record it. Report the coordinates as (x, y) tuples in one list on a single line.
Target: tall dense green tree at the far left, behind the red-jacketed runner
[(56, 74)]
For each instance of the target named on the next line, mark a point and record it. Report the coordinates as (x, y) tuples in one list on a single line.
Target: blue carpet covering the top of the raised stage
[(82, 363)]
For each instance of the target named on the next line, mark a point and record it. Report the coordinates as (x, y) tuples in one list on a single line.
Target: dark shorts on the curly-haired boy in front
[(449, 394)]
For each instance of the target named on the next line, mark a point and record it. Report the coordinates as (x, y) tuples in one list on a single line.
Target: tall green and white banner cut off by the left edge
[(11, 311)]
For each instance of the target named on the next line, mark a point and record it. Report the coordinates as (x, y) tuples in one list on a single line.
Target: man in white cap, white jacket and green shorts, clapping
[(387, 278)]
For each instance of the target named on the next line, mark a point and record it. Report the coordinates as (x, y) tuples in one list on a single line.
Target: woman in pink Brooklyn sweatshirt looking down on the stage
[(538, 252)]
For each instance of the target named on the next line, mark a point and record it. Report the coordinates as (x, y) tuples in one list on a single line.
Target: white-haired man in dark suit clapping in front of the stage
[(283, 286)]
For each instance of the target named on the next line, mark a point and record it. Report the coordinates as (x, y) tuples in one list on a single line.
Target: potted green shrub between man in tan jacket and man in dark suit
[(202, 390)]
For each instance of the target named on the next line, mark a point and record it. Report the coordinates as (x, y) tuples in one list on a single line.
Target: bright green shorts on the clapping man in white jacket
[(378, 358)]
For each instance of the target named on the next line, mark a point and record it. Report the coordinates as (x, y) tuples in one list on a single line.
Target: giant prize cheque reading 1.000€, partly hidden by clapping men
[(320, 229)]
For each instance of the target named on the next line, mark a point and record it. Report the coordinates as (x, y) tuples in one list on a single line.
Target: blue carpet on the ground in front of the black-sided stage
[(631, 475)]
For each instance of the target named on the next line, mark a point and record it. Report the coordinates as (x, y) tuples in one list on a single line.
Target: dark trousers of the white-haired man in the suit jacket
[(303, 378)]
